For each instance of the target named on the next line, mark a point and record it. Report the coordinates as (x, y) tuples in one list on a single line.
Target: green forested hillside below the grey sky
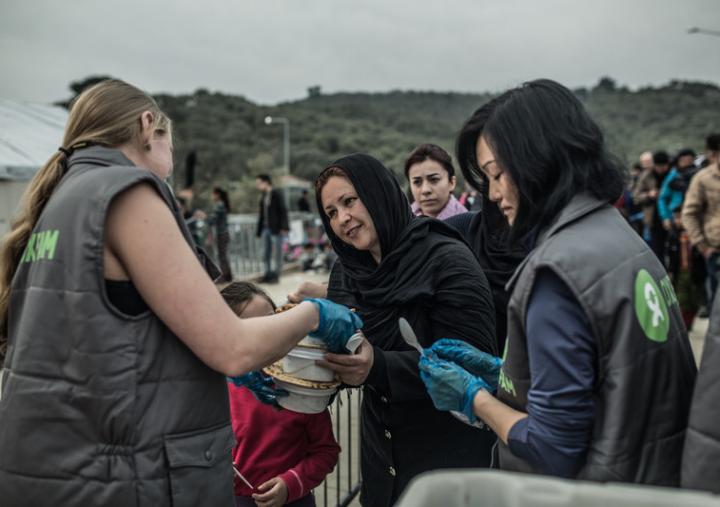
[(232, 142)]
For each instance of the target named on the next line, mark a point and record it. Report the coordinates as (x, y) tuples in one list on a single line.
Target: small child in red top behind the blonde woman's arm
[(284, 455)]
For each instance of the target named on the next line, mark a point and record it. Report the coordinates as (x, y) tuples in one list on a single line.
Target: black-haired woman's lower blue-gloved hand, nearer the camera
[(450, 386)]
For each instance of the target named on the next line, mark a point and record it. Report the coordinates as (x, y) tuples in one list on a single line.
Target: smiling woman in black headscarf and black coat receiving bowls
[(390, 265)]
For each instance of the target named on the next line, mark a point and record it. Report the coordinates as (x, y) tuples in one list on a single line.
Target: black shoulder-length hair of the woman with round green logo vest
[(542, 135)]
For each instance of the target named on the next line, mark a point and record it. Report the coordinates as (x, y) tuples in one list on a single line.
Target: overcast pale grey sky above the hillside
[(272, 50)]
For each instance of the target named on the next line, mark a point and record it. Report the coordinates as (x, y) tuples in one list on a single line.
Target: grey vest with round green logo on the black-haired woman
[(645, 369)]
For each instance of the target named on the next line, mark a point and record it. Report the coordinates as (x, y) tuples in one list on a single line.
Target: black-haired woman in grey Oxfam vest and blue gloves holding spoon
[(597, 372)]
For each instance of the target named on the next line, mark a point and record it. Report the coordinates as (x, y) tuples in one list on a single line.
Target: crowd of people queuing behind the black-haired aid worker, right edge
[(674, 204)]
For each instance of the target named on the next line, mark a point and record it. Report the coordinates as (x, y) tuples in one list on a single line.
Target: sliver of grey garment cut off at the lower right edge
[(701, 457)]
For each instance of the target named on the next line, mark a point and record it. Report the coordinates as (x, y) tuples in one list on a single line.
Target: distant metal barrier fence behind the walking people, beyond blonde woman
[(245, 250)]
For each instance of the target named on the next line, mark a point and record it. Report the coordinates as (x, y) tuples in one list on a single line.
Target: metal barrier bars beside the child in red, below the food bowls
[(342, 486)]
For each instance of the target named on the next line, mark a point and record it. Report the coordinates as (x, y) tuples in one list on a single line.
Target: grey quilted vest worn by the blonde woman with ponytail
[(99, 407)]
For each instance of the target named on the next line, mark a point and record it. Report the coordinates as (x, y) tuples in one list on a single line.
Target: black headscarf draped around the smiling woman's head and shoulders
[(413, 251)]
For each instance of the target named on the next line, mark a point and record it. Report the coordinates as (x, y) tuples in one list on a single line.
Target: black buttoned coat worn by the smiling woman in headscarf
[(402, 434)]
